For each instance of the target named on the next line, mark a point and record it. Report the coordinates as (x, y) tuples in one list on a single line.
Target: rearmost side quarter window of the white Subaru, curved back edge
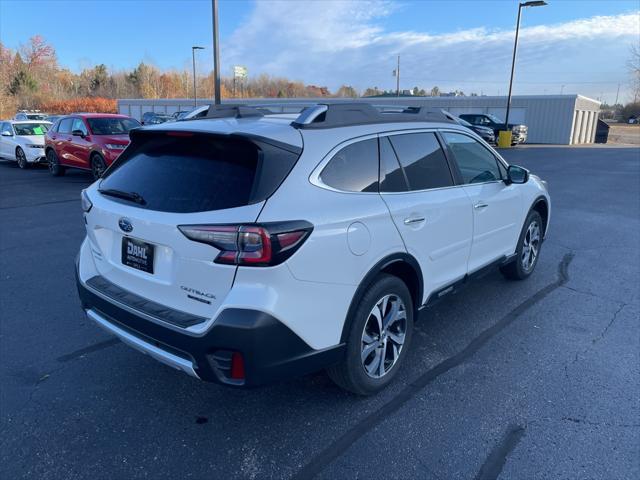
[(354, 168)]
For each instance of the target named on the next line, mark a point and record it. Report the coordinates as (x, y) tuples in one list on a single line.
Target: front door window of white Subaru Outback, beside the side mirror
[(476, 163)]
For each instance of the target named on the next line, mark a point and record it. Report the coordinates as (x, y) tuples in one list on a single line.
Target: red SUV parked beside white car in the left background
[(89, 141)]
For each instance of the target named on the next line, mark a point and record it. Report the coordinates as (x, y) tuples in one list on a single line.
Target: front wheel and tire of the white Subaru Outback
[(528, 249)]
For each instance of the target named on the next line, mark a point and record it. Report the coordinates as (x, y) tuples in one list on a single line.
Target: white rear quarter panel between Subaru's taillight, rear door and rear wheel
[(352, 232)]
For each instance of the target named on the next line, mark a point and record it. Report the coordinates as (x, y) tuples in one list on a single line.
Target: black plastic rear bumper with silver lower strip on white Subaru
[(270, 350)]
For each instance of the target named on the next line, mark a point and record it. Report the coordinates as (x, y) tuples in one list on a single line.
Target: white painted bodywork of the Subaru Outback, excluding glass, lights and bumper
[(311, 292)]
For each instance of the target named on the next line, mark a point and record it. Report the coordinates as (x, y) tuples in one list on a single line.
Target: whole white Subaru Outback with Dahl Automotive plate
[(245, 248)]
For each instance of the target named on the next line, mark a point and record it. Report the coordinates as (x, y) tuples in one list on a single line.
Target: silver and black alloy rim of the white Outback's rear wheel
[(383, 336)]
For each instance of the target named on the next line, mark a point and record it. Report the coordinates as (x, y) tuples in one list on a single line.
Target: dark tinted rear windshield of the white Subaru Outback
[(196, 173)]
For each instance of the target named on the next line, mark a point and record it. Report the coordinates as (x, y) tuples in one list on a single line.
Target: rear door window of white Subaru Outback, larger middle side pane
[(423, 160)]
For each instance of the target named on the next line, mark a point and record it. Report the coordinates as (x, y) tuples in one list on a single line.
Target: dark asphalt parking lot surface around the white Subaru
[(510, 380)]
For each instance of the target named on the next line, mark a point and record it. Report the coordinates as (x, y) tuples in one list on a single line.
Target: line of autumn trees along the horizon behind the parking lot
[(30, 77)]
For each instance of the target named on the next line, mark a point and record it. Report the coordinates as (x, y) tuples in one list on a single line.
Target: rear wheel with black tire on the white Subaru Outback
[(364, 373)]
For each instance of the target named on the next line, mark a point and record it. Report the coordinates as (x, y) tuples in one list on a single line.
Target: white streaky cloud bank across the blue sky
[(335, 42)]
